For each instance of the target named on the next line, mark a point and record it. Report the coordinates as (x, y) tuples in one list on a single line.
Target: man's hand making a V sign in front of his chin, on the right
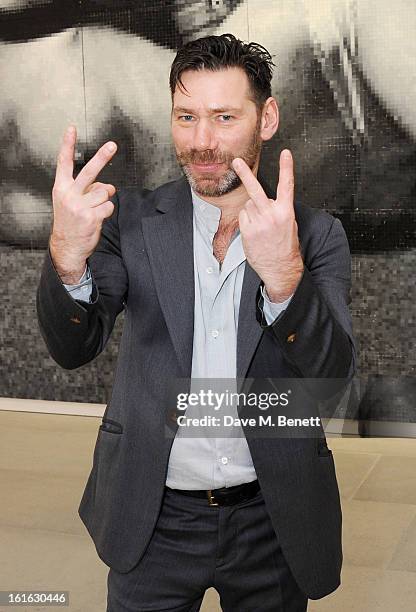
[(269, 231)]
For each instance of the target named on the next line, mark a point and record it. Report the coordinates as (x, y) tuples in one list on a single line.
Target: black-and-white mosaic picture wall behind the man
[(346, 89)]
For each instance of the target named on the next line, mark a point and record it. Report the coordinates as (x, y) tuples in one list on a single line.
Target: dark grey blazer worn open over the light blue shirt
[(147, 231)]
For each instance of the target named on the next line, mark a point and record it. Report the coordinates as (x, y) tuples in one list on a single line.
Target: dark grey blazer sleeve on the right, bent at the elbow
[(315, 330)]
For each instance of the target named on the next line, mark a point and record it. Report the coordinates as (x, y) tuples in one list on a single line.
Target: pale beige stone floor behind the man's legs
[(44, 463)]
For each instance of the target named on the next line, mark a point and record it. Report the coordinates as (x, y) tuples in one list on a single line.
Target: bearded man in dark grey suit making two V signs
[(219, 278)]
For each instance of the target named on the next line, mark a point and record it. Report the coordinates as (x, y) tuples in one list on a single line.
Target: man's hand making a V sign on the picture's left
[(79, 208)]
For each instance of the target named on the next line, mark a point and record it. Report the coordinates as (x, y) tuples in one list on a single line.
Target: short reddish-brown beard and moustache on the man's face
[(209, 184)]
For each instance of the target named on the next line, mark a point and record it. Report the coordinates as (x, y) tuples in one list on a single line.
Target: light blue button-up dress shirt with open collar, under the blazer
[(208, 462)]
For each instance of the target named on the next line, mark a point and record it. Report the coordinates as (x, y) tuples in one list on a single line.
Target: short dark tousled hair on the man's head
[(226, 51)]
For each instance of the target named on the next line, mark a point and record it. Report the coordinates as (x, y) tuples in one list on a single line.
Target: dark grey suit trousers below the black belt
[(195, 546)]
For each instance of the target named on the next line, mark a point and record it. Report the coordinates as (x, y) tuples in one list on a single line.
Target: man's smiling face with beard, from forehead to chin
[(213, 122)]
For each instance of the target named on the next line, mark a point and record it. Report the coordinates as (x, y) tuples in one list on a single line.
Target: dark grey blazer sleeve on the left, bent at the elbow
[(76, 331)]
